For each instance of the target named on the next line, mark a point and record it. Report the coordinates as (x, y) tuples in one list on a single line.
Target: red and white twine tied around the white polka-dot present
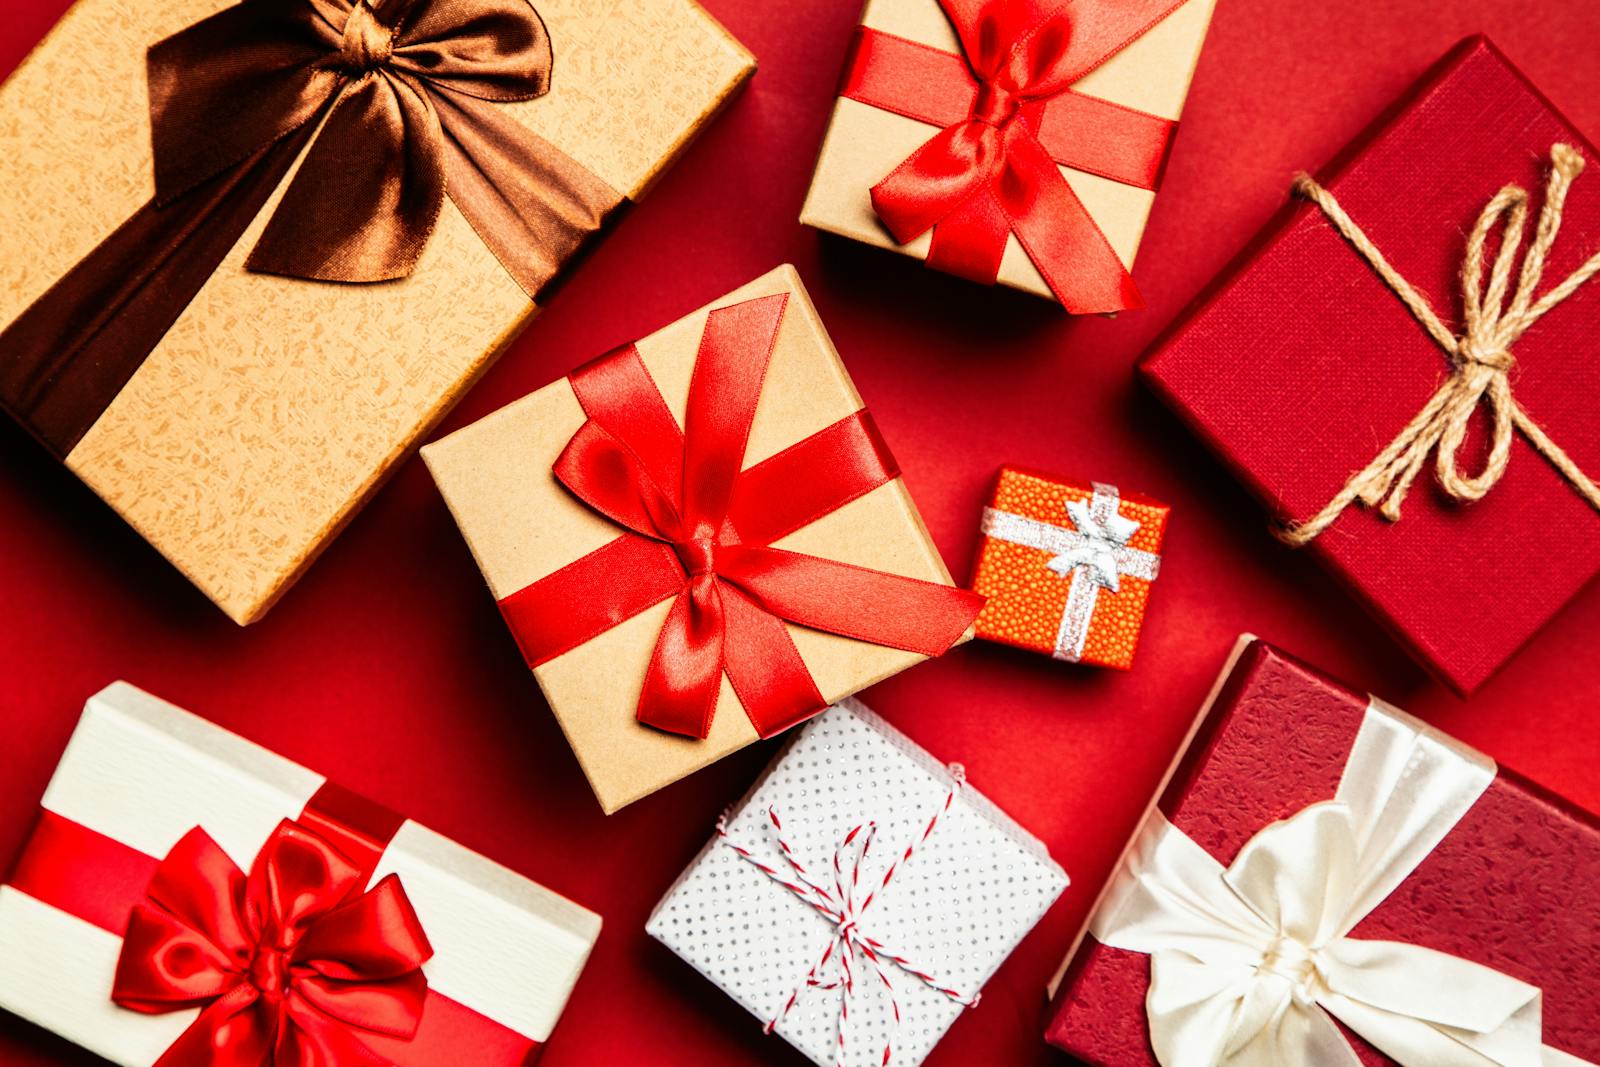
[(846, 909)]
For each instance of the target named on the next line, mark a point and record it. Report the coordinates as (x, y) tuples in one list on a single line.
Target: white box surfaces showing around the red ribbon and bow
[(145, 773)]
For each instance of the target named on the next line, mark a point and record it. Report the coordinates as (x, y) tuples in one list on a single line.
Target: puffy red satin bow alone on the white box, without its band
[(287, 965)]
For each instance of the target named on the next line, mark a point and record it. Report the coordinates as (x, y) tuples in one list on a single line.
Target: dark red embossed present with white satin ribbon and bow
[(1327, 881)]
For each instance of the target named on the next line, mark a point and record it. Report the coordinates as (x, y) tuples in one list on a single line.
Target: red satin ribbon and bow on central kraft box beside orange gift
[(702, 530)]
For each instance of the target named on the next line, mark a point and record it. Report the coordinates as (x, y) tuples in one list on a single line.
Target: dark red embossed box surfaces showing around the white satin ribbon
[(1511, 887)]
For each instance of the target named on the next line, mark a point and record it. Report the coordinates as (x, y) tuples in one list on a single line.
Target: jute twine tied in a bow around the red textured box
[(1481, 356)]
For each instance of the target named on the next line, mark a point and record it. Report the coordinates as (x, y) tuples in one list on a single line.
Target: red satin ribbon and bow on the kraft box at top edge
[(1009, 116)]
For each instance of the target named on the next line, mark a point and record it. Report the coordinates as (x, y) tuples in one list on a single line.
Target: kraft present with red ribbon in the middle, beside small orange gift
[(682, 593)]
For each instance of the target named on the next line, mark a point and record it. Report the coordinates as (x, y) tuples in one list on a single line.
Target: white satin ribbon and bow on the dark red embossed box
[(1252, 965)]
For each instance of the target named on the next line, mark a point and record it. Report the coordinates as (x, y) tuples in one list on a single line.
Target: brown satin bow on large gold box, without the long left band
[(410, 92)]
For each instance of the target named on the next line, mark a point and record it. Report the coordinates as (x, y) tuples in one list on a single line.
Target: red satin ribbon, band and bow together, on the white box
[(292, 965)]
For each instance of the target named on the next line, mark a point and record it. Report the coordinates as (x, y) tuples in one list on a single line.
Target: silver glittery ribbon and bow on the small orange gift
[(1095, 554)]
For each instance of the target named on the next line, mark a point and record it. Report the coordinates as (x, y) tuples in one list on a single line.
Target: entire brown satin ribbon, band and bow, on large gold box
[(399, 103)]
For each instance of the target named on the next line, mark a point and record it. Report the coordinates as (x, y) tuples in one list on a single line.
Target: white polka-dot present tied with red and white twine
[(860, 897)]
